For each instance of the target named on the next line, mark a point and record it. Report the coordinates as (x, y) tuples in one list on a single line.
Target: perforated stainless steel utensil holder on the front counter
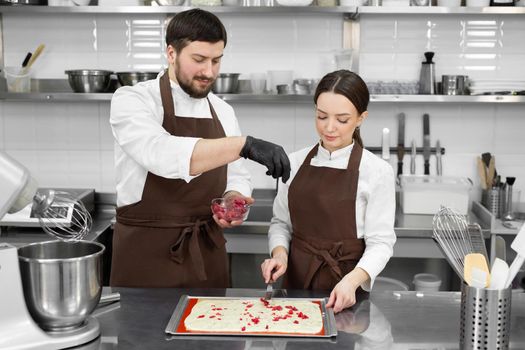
[(485, 318)]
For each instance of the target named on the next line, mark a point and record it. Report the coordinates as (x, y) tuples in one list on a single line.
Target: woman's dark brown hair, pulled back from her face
[(350, 85)]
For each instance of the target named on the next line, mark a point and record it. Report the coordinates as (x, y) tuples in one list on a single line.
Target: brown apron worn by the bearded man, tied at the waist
[(169, 238)]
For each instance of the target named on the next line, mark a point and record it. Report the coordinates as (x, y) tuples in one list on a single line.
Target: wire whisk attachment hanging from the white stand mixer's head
[(61, 215)]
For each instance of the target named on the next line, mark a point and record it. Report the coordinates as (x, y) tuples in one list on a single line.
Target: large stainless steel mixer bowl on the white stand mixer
[(62, 282)]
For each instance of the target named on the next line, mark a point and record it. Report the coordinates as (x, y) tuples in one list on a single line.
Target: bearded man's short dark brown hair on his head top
[(194, 25)]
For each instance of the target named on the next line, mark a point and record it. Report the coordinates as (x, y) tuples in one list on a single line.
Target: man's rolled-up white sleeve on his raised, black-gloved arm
[(139, 133)]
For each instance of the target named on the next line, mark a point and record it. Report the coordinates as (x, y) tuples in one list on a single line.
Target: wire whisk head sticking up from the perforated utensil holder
[(451, 232)]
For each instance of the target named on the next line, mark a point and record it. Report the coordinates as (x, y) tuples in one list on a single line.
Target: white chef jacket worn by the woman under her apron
[(375, 205)]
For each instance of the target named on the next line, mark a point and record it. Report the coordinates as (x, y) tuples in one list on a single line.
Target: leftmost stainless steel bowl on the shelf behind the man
[(89, 80)]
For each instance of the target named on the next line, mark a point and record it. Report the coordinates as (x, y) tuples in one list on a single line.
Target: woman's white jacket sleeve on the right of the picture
[(379, 220)]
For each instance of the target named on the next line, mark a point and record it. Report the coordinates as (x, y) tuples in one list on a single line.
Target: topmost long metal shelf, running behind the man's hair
[(348, 11)]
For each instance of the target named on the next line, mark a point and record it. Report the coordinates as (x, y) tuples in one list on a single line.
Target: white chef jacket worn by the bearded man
[(142, 145)]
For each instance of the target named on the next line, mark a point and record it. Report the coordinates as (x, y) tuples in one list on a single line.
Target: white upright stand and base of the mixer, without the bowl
[(18, 330)]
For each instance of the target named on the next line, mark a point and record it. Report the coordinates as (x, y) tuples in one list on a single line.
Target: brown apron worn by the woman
[(324, 245)]
